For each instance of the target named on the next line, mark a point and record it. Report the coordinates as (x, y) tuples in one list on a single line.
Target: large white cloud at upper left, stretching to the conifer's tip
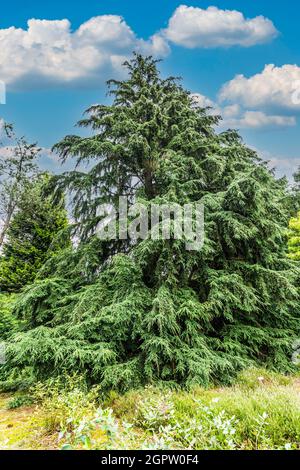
[(49, 52)]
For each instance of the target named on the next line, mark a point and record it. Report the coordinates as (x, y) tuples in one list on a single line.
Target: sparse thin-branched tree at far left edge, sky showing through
[(16, 169)]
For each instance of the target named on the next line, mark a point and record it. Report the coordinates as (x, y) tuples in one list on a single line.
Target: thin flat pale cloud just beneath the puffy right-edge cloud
[(234, 116)]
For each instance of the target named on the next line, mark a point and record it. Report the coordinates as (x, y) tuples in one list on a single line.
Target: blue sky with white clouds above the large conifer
[(54, 70)]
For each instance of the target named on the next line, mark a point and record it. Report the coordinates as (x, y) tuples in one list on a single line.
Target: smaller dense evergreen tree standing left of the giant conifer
[(31, 237)]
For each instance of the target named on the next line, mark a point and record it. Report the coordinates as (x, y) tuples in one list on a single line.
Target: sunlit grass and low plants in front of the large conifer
[(261, 411)]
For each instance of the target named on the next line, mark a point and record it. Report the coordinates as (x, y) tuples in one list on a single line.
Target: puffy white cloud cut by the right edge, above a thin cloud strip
[(277, 87)]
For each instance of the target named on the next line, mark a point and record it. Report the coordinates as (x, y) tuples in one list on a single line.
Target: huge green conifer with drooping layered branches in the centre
[(128, 314)]
